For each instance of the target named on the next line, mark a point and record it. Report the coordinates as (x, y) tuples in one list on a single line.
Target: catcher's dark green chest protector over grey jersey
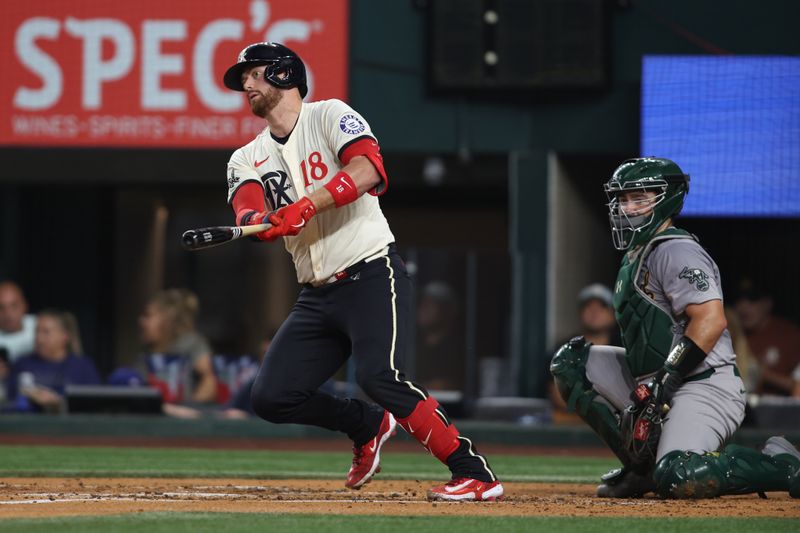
[(647, 329)]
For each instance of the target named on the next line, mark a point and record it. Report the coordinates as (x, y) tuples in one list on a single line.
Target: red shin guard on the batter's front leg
[(429, 426)]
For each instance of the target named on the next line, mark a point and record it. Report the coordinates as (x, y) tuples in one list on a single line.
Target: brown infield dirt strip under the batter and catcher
[(42, 497)]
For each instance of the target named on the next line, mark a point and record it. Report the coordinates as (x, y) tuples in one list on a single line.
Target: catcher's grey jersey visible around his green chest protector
[(677, 273)]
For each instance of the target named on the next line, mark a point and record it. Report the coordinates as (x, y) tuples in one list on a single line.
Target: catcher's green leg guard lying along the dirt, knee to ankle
[(734, 470)]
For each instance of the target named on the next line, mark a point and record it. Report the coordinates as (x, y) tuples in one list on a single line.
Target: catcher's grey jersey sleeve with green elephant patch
[(686, 273)]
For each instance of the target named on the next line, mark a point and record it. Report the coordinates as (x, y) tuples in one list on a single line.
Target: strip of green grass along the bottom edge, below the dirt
[(194, 522)]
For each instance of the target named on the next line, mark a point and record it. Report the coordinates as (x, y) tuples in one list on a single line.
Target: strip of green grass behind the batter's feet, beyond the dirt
[(157, 462)]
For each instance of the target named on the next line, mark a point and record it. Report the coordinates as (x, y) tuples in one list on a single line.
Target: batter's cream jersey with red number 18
[(334, 239)]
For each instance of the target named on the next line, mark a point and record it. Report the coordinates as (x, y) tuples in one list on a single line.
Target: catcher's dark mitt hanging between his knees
[(641, 422)]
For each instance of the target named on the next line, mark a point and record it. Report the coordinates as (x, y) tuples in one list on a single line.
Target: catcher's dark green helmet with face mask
[(661, 176)]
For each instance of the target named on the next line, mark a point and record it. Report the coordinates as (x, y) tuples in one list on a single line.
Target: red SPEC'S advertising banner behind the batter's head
[(149, 73)]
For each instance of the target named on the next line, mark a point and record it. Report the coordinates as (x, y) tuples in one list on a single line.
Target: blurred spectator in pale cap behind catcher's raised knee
[(599, 326)]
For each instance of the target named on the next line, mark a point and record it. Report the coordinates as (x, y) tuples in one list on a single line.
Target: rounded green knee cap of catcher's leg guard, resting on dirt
[(684, 475)]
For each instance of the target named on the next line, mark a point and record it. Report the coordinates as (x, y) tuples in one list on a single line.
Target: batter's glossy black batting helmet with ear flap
[(278, 57)]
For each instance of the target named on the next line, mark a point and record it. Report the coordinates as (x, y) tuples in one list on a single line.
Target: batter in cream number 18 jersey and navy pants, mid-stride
[(315, 174)]
